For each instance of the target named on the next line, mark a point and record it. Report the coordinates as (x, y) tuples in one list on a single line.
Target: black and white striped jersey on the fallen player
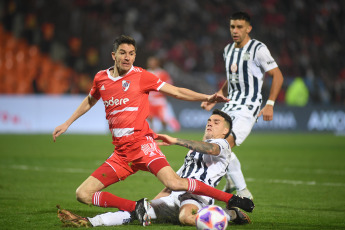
[(207, 168)]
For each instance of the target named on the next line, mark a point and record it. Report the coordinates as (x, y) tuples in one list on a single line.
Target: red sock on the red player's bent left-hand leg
[(108, 200)]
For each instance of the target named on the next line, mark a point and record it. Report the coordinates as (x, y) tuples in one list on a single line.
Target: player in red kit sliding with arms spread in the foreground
[(124, 90)]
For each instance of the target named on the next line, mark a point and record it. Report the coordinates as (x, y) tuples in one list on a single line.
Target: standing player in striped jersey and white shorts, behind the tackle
[(246, 62)]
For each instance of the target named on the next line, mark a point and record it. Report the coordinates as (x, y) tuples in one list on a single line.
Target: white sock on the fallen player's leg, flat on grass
[(110, 219)]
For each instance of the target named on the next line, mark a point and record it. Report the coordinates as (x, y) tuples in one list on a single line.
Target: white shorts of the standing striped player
[(242, 123)]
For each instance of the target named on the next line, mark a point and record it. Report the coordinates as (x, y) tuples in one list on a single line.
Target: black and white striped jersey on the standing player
[(245, 70)]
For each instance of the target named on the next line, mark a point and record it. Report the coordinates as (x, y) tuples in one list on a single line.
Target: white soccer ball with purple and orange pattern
[(211, 217)]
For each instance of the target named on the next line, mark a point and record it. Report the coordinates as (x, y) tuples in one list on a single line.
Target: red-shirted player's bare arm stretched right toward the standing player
[(190, 95)]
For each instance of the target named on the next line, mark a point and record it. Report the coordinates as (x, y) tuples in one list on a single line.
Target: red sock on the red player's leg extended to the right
[(200, 188)]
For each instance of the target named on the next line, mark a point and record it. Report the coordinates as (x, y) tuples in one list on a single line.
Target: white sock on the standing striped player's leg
[(235, 173)]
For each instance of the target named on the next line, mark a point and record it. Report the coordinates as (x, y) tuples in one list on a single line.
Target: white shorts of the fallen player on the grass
[(167, 208)]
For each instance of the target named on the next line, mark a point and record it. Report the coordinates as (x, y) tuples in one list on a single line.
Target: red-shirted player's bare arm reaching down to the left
[(84, 106)]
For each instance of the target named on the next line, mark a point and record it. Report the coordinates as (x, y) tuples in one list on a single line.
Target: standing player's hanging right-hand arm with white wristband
[(277, 82)]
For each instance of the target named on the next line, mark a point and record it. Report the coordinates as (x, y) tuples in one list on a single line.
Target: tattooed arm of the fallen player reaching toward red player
[(199, 146)]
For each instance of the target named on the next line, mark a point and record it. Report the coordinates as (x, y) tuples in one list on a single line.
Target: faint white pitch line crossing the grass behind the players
[(270, 181)]
